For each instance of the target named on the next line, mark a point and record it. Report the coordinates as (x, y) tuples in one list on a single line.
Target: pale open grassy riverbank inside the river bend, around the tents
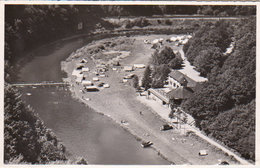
[(120, 103)]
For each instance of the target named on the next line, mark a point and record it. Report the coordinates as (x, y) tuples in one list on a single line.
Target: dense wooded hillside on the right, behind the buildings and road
[(225, 107)]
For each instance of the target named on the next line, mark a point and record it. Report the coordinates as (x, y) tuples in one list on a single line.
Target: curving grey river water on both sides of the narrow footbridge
[(83, 131)]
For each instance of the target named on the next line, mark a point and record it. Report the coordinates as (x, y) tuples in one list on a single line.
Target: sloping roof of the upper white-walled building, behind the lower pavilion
[(180, 77)]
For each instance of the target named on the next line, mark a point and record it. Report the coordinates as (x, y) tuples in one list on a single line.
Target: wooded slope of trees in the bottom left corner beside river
[(26, 139)]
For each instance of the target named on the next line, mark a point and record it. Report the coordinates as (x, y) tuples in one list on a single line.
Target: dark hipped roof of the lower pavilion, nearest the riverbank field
[(180, 93)]
